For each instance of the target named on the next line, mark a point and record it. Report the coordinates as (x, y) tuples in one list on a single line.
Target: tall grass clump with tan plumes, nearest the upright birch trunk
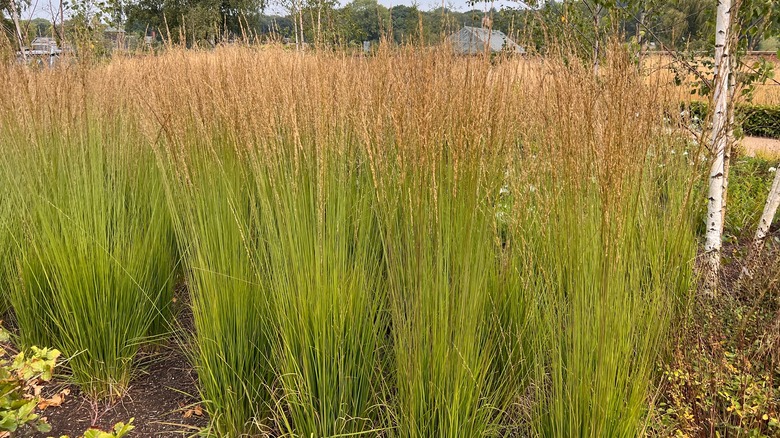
[(603, 230)]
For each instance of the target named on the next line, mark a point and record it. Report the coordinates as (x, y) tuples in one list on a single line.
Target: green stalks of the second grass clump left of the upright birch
[(442, 284)]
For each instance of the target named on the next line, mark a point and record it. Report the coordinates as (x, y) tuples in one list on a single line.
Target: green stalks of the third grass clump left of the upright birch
[(325, 268)]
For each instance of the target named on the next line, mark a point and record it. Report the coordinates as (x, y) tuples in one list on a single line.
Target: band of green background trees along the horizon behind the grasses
[(675, 24)]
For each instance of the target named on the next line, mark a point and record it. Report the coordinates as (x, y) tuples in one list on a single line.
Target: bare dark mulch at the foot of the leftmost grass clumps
[(159, 399)]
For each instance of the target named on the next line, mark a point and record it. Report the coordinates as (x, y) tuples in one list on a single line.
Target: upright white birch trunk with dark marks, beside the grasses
[(720, 129)]
